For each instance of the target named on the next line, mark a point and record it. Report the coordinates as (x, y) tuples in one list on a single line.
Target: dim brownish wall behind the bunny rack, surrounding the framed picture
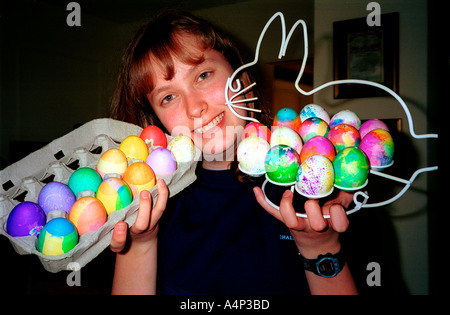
[(409, 214)]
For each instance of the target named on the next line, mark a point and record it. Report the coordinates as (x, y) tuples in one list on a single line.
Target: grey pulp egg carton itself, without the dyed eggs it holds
[(22, 181)]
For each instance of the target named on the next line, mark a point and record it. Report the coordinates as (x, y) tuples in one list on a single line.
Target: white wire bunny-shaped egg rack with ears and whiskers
[(238, 90)]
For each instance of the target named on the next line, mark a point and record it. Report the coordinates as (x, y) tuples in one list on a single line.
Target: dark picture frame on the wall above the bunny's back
[(367, 53)]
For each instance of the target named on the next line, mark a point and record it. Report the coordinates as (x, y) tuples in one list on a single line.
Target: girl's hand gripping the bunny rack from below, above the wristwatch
[(313, 235)]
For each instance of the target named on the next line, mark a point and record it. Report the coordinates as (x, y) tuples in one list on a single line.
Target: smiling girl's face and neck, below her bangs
[(192, 103)]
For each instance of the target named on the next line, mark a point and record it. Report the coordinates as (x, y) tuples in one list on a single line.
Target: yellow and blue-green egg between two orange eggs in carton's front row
[(115, 194)]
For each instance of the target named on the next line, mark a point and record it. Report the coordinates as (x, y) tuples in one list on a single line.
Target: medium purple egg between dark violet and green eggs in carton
[(56, 196)]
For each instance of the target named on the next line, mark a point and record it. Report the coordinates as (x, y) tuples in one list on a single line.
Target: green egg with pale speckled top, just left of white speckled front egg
[(282, 163)]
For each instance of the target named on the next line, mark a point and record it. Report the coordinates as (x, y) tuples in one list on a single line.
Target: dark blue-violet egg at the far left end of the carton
[(25, 219)]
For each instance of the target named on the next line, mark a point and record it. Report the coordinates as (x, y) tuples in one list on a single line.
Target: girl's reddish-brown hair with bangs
[(157, 40)]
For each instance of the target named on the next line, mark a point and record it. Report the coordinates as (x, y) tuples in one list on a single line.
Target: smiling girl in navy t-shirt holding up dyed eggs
[(214, 237)]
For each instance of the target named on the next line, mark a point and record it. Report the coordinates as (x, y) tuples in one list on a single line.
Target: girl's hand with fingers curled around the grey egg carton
[(145, 228)]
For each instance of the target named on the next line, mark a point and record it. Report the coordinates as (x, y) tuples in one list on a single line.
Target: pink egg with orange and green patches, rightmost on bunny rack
[(378, 145)]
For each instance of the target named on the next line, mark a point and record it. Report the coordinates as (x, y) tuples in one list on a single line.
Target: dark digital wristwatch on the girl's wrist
[(326, 266)]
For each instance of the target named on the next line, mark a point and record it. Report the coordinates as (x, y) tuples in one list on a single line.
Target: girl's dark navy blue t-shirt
[(215, 238)]
